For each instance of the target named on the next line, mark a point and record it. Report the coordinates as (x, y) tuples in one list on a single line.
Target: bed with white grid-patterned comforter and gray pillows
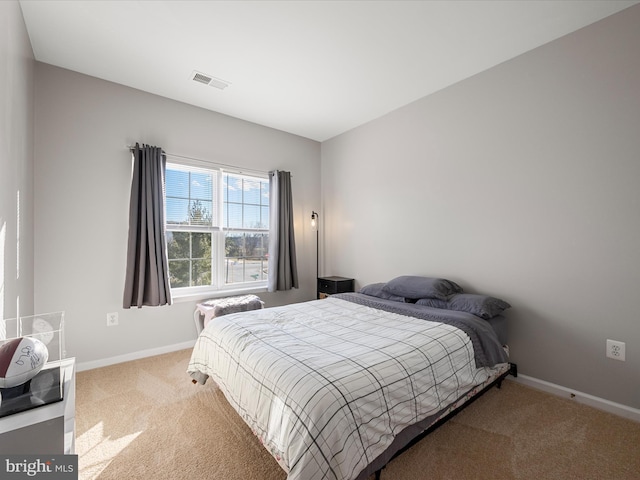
[(334, 388)]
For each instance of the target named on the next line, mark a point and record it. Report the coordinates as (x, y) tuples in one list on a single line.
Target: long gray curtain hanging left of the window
[(147, 275)]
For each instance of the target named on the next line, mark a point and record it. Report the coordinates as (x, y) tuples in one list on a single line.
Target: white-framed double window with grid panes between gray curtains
[(217, 226)]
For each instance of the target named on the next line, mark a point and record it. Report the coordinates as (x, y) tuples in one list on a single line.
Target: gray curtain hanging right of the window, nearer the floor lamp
[(283, 269)]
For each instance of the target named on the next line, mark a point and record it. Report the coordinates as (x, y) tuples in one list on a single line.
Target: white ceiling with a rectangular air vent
[(312, 68)]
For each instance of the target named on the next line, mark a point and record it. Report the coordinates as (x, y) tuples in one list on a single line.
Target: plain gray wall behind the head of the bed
[(521, 182)]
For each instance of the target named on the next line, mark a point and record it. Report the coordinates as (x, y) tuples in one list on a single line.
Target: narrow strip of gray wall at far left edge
[(16, 164)]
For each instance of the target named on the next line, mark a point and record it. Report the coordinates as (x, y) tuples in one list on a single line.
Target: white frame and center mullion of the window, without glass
[(218, 287)]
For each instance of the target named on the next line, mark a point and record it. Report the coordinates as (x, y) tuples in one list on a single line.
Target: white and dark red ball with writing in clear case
[(20, 360)]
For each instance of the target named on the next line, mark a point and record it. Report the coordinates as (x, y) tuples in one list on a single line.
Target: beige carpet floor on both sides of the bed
[(145, 420)]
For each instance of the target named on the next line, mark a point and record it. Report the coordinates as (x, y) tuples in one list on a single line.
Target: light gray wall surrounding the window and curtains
[(82, 183)]
